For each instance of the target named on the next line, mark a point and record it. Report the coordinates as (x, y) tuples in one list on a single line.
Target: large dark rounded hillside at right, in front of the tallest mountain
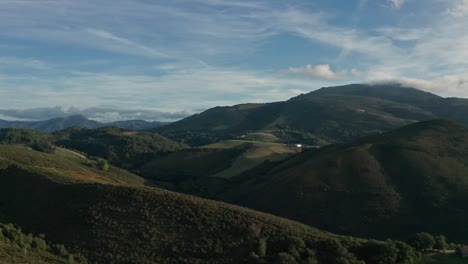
[(391, 185)]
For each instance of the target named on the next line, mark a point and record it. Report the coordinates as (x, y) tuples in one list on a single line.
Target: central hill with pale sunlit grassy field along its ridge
[(203, 171)]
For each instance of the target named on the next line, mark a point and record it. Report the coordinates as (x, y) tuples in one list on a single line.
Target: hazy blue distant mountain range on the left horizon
[(60, 123)]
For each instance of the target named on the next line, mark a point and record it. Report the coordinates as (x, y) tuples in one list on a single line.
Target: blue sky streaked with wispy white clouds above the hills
[(154, 59)]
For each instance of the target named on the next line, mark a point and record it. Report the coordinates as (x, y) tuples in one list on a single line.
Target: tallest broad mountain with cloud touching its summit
[(328, 115)]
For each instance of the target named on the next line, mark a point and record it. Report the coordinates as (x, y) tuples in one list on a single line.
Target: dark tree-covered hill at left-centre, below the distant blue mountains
[(122, 147)]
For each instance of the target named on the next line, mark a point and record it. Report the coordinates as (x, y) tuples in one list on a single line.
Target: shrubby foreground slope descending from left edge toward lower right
[(110, 216)]
